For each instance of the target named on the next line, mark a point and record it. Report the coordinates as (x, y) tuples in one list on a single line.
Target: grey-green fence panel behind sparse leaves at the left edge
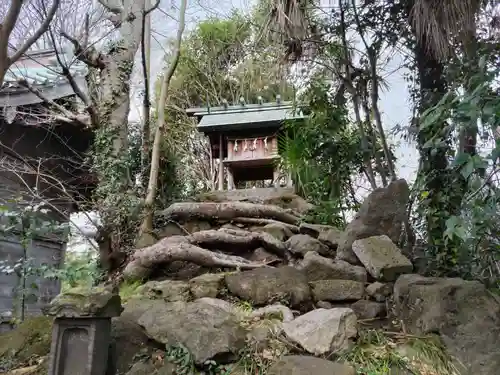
[(36, 291)]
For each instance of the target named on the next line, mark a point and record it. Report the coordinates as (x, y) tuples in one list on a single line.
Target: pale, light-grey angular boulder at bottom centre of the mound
[(323, 331)]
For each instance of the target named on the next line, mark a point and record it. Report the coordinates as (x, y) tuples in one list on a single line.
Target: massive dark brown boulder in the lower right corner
[(464, 313)]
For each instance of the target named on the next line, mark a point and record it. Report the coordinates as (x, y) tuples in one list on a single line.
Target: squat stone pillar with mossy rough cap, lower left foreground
[(81, 335)]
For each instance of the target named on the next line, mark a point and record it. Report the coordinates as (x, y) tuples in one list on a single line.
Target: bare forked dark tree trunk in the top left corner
[(6, 27)]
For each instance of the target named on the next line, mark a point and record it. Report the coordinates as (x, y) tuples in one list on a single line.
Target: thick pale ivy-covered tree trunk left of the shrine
[(110, 156)]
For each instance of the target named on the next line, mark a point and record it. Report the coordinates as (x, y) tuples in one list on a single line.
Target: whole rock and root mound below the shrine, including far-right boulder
[(257, 275)]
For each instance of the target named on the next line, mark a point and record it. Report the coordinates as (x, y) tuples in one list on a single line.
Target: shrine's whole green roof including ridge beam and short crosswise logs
[(240, 117)]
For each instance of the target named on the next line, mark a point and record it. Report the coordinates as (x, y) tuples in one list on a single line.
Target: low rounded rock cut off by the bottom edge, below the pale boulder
[(305, 365)]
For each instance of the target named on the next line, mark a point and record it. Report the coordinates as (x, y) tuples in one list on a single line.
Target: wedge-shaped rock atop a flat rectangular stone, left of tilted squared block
[(316, 267)]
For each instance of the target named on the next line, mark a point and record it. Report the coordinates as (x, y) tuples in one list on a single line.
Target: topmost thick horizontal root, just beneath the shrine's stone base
[(228, 211)]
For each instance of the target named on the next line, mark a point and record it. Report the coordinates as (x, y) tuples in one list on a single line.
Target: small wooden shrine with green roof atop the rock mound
[(244, 141)]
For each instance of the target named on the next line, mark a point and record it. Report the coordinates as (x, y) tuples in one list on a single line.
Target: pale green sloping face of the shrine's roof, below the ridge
[(247, 119)]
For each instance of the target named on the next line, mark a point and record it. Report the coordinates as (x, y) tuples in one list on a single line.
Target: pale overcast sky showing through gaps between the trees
[(394, 102)]
